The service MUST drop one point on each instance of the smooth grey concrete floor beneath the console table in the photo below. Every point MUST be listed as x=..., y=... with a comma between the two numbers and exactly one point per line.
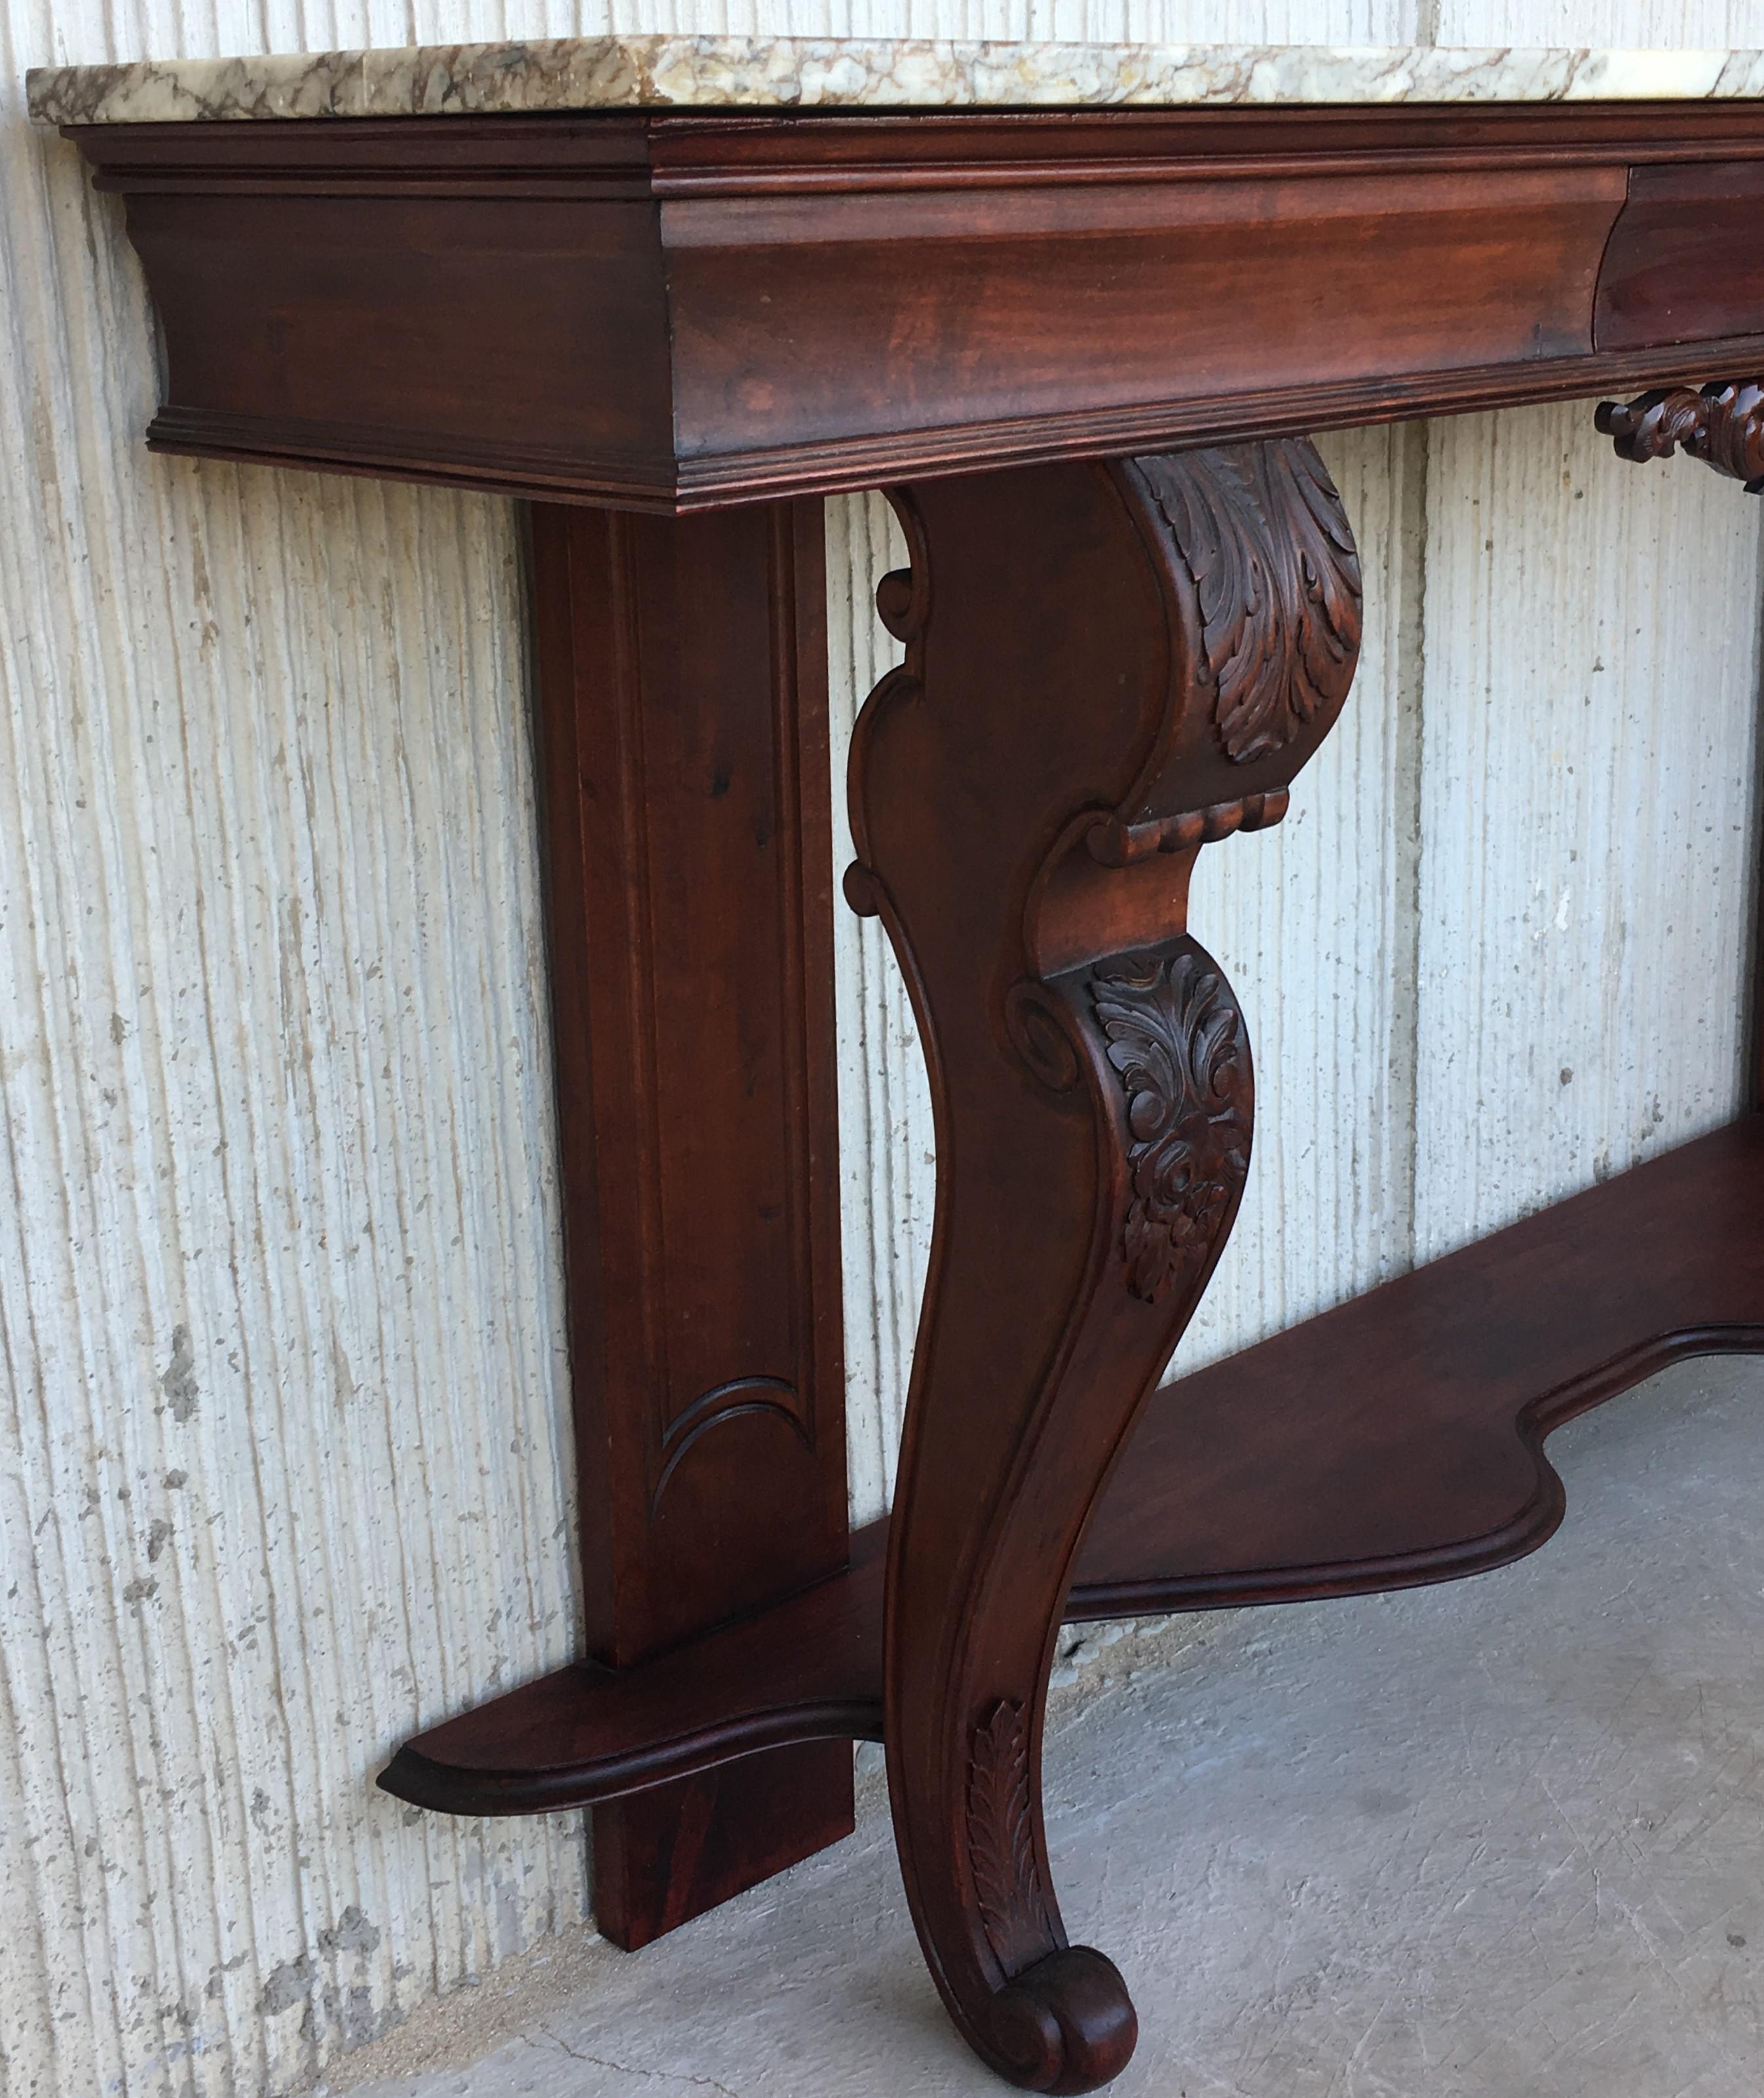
x=1503, y=1839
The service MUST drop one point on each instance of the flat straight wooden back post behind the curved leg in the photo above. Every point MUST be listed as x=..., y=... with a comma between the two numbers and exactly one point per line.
x=683, y=710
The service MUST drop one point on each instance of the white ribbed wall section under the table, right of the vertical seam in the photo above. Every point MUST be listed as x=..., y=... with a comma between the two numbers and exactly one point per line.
x=1589, y=765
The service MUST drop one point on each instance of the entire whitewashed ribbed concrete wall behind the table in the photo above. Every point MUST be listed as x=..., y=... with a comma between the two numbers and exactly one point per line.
x=282, y=1407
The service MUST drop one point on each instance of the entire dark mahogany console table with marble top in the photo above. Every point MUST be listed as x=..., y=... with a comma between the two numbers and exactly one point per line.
x=1077, y=322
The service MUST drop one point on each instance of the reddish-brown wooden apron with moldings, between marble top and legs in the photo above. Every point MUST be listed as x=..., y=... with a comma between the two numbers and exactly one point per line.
x=590, y=307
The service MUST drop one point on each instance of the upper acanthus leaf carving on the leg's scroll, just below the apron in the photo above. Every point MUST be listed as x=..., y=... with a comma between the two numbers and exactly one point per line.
x=1268, y=547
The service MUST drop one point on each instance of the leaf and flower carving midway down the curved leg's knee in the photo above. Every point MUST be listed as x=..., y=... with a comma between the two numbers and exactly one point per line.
x=1178, y=1042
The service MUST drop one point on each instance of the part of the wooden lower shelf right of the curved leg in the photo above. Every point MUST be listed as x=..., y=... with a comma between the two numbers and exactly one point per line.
x=1400, y=1438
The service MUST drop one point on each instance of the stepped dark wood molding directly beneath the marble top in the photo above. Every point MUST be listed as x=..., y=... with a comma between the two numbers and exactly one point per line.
x=676, y=156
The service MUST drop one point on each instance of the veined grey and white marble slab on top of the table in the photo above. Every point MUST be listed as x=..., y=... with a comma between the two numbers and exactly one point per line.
x=720, y=72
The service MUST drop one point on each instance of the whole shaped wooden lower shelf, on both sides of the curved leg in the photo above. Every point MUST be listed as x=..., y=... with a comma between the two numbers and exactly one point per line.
x=1390, y=1442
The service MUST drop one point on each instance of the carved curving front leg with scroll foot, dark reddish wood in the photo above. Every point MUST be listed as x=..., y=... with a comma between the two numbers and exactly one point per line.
x=1109, y=666
